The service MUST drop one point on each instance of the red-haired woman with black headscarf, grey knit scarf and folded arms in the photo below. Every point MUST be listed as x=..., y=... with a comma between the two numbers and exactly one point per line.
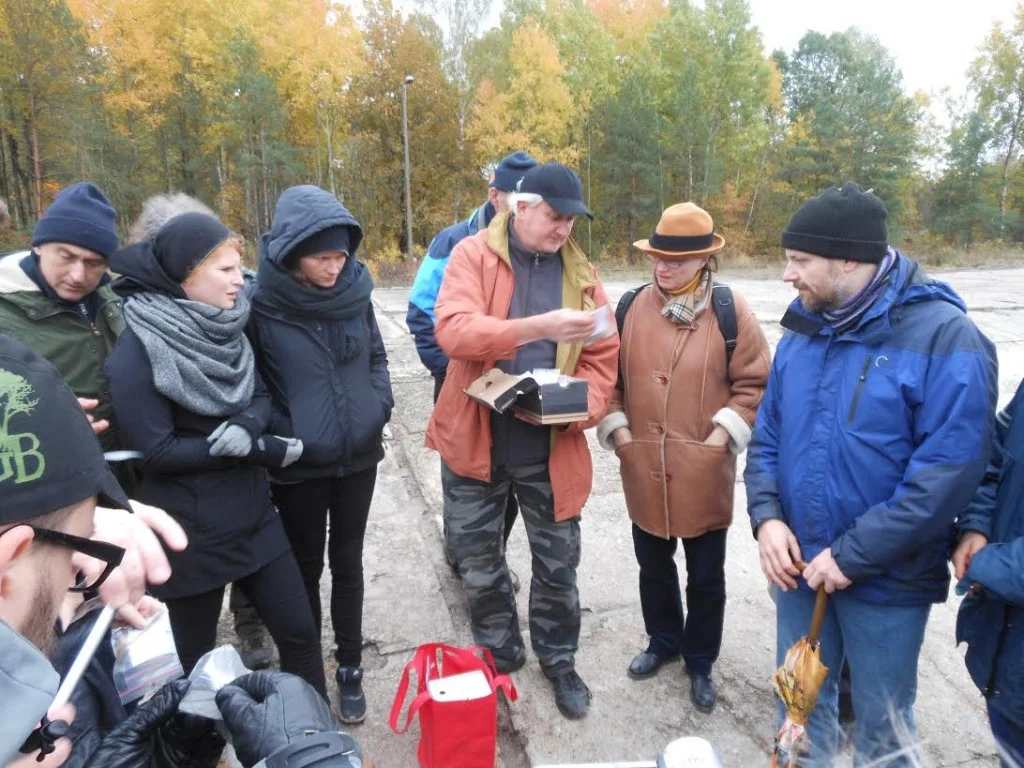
x=184, y=381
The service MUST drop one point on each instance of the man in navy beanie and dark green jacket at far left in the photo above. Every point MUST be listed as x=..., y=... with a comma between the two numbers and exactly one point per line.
x=57, y=298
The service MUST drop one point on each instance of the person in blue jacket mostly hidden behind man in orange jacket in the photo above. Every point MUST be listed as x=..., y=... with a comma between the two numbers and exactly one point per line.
x=429, y=282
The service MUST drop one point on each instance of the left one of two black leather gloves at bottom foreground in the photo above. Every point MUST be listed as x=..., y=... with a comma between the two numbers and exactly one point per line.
x=156, y=736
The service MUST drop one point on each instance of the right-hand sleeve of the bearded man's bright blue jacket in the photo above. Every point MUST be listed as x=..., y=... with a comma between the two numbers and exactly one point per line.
x=953, y=435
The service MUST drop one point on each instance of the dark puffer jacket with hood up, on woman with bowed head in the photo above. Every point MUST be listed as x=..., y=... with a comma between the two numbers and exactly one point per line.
x=320, y=353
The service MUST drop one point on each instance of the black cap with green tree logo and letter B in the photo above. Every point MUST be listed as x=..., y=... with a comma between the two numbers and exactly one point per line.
x=50, y=457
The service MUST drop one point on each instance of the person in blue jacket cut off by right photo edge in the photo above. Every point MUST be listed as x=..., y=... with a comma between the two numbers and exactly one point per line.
x=990, y=563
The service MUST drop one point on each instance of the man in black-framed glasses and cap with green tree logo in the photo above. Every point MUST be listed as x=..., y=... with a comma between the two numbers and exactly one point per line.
x=53, y=476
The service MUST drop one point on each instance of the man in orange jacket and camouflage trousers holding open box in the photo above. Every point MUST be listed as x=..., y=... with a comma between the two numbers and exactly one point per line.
x=517, y=296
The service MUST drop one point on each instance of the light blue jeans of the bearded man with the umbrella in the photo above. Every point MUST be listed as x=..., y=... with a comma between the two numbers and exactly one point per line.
x=882, y=645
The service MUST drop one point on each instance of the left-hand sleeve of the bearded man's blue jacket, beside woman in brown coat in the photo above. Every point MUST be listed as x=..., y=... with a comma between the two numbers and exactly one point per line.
x=761, y=476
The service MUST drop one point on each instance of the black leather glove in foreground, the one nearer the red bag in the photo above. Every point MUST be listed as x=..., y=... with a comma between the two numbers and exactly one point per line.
x=268, y=711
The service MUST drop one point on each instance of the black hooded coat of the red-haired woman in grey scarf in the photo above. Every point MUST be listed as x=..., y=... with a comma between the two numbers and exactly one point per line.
x=223, y=503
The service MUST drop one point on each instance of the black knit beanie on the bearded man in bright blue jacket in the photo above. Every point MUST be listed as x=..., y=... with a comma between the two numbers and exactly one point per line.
x=847, y=224
